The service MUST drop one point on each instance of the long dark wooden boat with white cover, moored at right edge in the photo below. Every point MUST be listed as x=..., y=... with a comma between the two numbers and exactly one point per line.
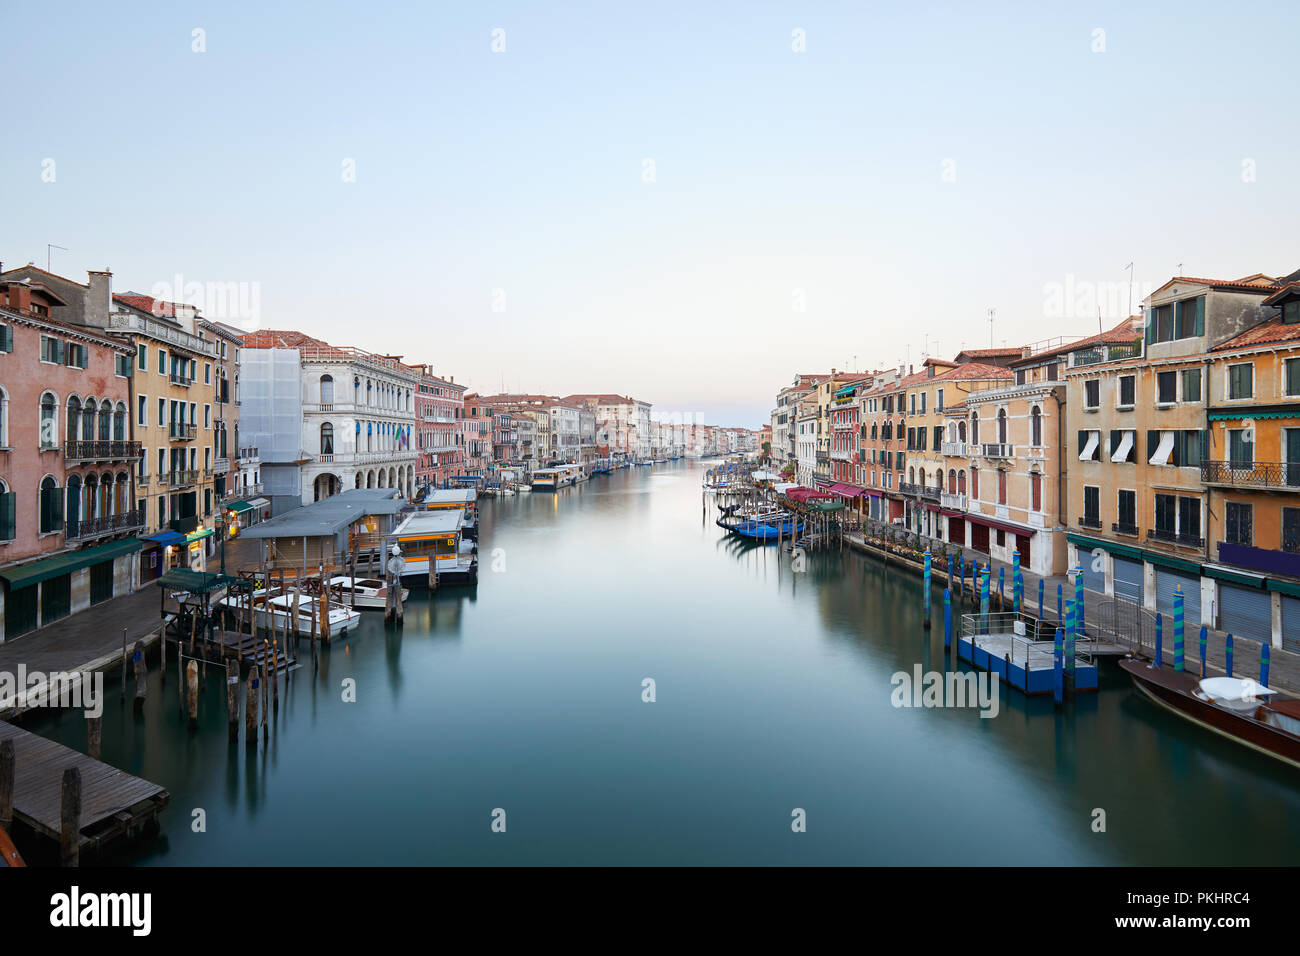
x=1236, y=708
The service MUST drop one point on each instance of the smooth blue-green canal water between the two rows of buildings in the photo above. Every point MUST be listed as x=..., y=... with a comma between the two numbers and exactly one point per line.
x=773, y=694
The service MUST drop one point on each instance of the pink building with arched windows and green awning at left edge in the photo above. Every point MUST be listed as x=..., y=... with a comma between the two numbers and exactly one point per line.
x=68, y=514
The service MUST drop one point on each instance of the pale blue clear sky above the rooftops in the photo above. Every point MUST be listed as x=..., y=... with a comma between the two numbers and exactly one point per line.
x=683, y=202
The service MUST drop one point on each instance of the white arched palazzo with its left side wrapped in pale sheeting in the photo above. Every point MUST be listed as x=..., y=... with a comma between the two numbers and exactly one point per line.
x=327, y=418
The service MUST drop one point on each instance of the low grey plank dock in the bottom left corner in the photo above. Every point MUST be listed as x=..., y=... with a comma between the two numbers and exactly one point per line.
x=114, y=803
